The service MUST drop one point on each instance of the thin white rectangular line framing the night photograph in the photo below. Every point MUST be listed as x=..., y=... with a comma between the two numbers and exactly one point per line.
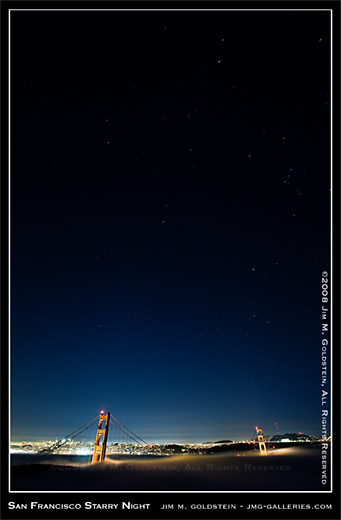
x=331, y=237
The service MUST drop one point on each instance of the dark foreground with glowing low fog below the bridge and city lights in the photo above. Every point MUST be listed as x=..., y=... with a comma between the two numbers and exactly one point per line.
x=284, y=469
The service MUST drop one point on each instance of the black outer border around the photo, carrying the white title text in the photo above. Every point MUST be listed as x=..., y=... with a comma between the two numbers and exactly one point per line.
x=185, y=498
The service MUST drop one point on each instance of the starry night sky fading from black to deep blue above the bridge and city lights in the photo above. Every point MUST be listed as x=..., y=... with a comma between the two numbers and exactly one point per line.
x=170, y=185
